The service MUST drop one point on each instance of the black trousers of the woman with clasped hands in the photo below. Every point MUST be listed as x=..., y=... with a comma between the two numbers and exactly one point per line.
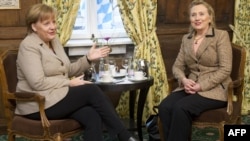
x=178, y=109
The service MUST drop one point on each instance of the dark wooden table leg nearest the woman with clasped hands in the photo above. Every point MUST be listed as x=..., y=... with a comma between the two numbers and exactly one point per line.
x=141, y=102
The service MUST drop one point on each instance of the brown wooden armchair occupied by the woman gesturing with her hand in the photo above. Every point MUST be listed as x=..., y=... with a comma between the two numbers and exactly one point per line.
x=44, y=129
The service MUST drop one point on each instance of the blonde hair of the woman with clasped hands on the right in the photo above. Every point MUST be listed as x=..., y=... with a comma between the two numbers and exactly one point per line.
x=210, y=11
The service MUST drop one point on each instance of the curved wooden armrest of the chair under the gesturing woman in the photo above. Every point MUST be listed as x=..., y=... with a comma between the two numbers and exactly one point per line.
x=41, y=103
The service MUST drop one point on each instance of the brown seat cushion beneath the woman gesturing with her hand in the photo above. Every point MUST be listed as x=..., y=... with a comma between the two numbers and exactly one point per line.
x=34, y=127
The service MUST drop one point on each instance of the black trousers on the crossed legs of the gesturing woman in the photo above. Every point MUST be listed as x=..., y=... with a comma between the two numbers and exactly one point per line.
x=91, y=107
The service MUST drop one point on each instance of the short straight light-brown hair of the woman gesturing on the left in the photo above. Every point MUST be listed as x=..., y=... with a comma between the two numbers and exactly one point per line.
x=38, y=12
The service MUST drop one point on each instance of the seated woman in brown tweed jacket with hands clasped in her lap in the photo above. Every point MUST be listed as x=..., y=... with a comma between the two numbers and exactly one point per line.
x=207, y=53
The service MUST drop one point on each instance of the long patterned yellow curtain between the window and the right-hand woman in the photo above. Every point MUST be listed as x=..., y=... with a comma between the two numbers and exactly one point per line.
x=139, y=19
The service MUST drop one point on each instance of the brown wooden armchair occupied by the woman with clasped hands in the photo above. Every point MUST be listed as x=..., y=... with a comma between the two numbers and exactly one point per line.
x=231, y=114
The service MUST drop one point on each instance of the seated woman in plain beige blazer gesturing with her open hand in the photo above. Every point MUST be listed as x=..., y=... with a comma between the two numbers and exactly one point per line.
x=44, y=68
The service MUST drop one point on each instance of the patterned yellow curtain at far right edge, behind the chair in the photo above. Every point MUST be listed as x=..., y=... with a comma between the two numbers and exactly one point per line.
x=241, y=37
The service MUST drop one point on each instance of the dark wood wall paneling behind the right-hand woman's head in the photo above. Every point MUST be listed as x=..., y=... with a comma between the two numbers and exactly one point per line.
x=176, y=11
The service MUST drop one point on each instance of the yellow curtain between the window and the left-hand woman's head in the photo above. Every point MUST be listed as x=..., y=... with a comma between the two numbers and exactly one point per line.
x=67, y=12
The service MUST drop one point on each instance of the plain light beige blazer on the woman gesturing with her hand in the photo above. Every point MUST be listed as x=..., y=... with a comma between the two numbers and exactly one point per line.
x=39, y=70
